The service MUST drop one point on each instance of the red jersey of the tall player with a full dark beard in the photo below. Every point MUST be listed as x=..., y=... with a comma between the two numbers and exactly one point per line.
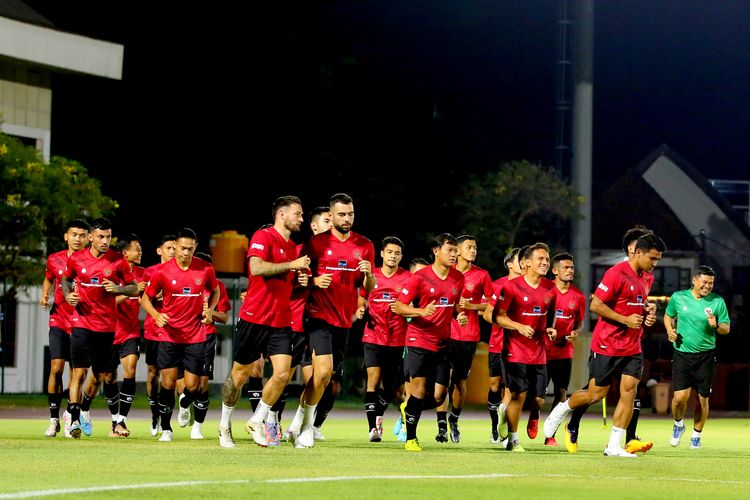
x=337, y=304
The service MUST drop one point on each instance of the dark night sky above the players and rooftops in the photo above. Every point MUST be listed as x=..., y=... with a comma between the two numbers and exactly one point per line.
x=377, y=98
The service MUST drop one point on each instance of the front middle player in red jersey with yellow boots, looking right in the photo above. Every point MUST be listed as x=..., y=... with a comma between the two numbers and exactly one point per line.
x=436, y=291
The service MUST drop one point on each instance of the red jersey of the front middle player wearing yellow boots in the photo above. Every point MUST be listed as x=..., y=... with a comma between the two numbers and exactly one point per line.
x=432, y=332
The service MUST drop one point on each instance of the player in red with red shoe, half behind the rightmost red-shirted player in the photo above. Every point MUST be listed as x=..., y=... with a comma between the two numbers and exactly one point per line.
x=570, y=310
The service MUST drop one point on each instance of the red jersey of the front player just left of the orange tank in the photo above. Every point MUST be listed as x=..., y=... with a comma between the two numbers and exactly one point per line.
x=182, y=290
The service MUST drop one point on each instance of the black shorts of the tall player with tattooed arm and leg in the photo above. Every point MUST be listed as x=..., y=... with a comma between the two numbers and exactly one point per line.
x=251, y=341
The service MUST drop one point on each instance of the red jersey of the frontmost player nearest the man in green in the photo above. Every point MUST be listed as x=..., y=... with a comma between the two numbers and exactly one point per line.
x=626, y=293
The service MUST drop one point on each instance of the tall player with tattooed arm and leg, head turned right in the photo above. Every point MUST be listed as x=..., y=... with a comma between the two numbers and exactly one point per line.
x=265, y=317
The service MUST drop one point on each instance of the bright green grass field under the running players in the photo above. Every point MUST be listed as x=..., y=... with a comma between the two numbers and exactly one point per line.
x=347, y=466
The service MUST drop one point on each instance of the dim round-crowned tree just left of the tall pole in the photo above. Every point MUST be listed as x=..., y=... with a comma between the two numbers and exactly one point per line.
x=517, y=204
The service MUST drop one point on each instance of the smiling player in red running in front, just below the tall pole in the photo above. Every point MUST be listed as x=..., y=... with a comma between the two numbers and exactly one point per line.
x=525, y=309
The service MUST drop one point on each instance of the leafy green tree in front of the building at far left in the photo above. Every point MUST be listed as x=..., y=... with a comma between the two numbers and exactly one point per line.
x=37, y=200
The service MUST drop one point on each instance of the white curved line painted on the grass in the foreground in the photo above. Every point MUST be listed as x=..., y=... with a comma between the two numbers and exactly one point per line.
x=72, y=491
